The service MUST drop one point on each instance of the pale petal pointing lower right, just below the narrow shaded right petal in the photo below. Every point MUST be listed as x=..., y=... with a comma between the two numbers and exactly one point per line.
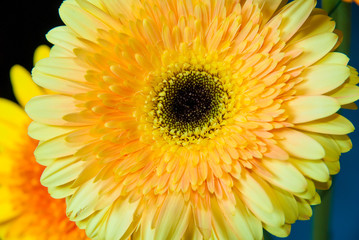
x=299, y=144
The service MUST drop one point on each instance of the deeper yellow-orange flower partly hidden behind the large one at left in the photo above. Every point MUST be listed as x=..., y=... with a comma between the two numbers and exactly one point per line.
x=26, y=209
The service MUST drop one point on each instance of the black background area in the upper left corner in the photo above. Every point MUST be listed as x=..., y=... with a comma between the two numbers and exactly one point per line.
x=23, y=25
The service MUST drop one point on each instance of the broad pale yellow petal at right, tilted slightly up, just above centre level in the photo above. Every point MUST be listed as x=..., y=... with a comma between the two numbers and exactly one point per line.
x=319, y=79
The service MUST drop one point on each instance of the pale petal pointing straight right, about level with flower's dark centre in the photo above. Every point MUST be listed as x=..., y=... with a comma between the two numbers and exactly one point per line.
x=308, y=108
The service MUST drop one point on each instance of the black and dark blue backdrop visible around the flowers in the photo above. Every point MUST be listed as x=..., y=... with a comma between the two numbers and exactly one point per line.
x=23, y=27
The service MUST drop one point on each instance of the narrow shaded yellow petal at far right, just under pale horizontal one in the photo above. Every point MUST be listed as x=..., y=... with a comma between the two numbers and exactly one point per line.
x=335, y=124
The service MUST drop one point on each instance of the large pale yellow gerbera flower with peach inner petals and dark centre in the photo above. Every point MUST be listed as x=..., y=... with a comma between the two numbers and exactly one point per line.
x=191, y=119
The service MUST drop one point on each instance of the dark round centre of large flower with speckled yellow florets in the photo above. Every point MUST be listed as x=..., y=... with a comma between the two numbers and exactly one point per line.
x=189, y=105
